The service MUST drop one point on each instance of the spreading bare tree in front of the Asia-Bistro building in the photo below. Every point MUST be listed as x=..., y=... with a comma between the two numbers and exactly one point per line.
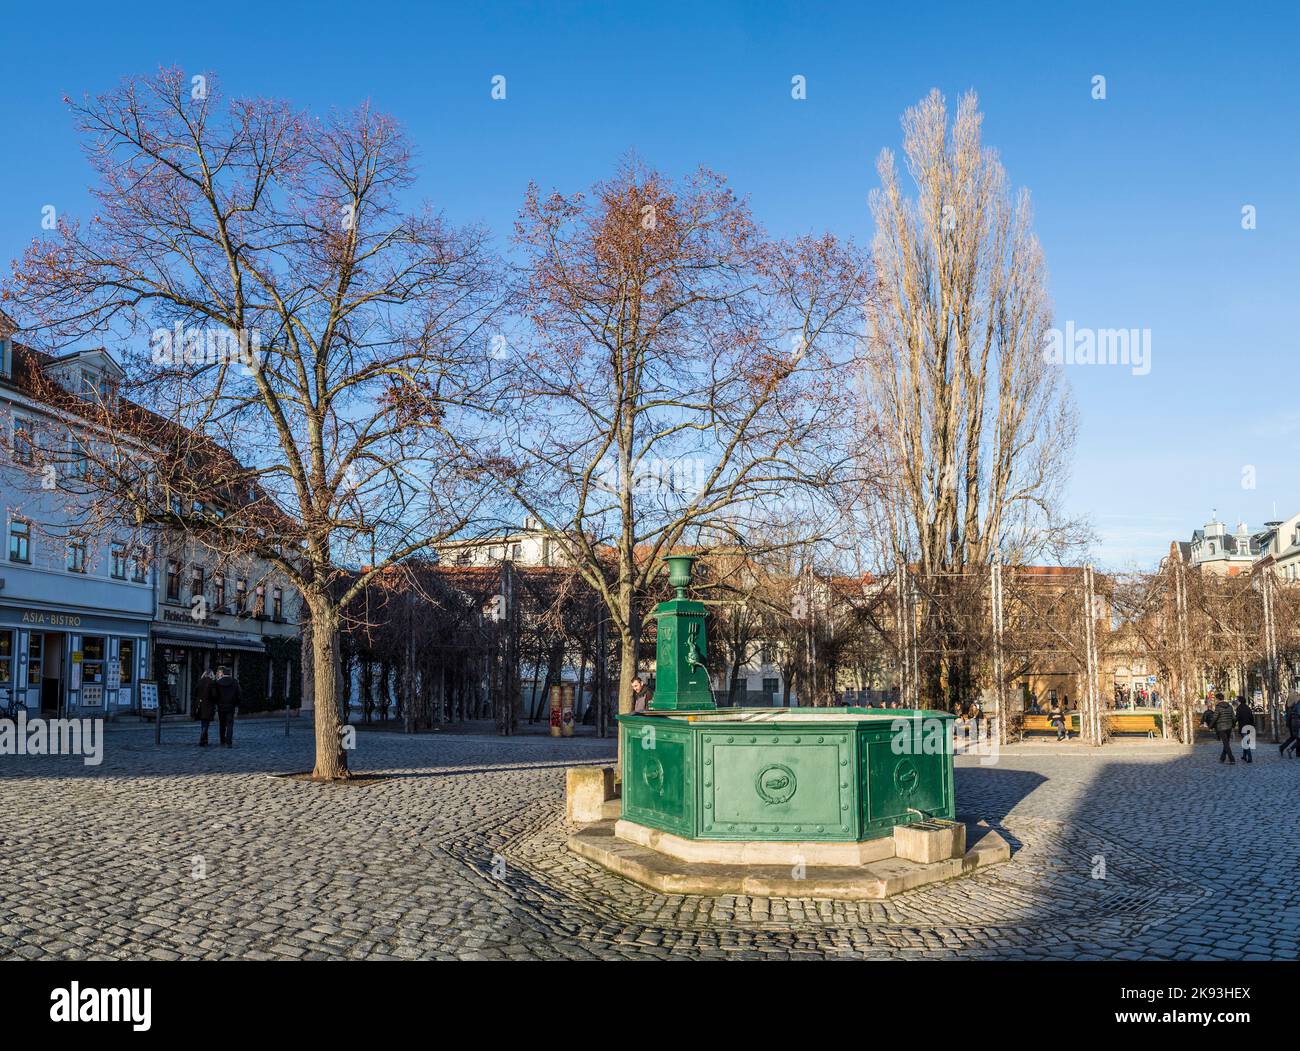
x=315, y=352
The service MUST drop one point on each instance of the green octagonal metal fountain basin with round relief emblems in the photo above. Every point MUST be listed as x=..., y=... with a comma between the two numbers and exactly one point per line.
x=787, y=775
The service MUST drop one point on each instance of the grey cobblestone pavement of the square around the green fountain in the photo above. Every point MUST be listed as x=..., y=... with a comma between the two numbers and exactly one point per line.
x=184, y=853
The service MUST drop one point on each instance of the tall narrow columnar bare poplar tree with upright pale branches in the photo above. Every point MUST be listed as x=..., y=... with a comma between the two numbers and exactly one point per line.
x=976, y=426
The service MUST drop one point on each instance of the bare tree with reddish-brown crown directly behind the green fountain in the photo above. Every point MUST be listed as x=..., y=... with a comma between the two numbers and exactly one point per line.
x=681, y=380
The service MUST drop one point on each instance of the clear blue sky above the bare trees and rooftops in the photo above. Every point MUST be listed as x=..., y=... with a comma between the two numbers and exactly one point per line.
x=1138, y=198
